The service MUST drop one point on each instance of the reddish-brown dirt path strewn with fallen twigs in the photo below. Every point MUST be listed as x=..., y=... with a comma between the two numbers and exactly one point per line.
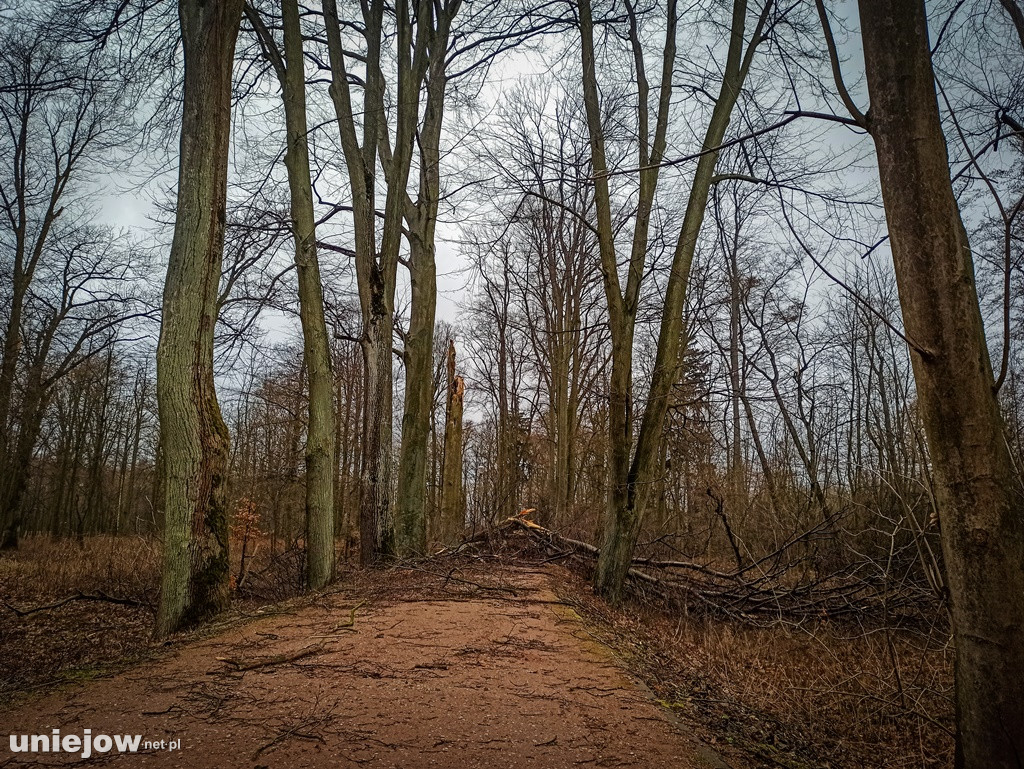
x=510, y=679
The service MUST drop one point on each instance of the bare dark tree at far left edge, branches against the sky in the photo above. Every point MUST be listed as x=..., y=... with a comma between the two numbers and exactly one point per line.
x=61, y=117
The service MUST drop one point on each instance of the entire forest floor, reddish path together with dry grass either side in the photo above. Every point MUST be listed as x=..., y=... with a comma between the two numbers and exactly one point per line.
x=485, y=659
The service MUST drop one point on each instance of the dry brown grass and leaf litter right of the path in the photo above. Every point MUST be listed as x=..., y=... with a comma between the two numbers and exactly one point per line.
x=826, y=695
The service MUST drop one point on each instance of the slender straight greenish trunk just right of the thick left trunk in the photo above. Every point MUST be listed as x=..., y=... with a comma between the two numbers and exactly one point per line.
x=317, y=349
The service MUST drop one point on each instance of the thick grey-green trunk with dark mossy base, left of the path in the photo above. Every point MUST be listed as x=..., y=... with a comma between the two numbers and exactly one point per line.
x=194, y=437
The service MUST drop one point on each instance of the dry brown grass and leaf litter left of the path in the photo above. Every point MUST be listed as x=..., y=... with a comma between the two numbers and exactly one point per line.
x=83, y=638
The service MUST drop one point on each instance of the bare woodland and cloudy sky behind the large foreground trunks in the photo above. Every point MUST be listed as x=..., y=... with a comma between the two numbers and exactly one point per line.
x=794, y=477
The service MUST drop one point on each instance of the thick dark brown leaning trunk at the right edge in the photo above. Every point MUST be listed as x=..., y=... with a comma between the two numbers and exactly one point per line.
x=982, y=506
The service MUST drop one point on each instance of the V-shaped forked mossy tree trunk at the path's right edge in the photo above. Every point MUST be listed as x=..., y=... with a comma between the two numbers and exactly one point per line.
x=632, y=472
